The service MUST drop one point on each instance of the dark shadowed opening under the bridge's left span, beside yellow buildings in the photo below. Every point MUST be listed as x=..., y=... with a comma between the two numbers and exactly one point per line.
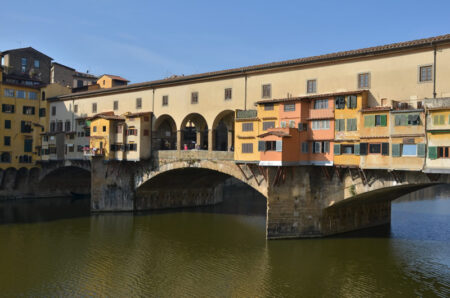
x=65, y=181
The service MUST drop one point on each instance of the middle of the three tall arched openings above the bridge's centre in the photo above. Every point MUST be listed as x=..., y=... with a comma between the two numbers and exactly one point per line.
x=194, y=132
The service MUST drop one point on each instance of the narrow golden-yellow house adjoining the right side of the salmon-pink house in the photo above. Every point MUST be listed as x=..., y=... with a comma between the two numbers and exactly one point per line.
x=347, y=113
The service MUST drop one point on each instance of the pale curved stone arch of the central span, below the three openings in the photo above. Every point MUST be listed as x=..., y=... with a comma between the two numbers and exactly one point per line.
x=228, y=168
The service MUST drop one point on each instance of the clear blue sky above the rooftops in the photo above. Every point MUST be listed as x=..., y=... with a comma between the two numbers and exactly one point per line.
x=148, y=40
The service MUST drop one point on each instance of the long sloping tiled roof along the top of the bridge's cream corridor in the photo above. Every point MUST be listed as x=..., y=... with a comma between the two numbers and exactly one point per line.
x=364, y=52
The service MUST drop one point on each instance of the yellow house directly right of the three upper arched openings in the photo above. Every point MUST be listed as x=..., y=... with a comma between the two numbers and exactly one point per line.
x=246, y=136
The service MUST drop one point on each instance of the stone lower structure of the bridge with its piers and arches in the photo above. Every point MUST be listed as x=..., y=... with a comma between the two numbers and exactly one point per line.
x=302, y=201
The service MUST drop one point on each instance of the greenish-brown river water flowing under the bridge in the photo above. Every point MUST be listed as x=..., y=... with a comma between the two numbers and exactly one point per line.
x=54, y=247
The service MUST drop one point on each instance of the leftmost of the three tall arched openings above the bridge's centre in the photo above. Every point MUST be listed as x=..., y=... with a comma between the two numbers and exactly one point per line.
x=164, y=133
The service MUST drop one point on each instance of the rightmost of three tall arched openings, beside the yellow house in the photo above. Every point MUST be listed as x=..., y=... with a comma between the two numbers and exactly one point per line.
x=223, y=131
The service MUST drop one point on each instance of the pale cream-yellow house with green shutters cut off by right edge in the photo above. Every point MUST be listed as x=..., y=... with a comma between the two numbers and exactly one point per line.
x=438, y=135
